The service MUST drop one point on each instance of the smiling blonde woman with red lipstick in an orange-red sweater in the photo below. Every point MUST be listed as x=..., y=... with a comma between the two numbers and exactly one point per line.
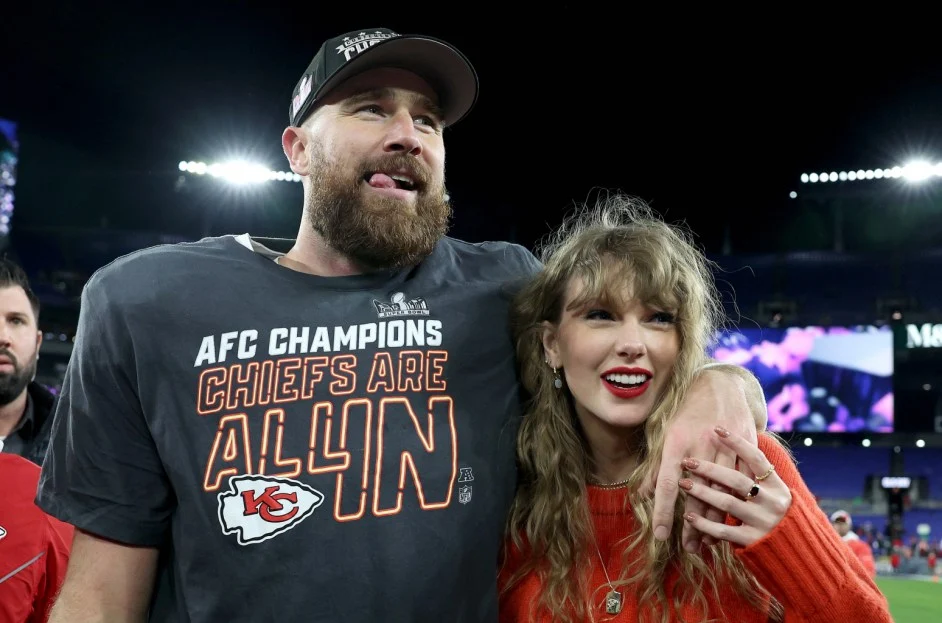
x=610, y=336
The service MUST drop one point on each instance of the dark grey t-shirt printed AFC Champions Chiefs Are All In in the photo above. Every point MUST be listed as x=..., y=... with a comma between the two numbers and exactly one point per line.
x=301, y=448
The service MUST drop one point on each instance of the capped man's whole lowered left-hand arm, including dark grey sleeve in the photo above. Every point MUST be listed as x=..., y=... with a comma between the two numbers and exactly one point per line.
x=102, y=472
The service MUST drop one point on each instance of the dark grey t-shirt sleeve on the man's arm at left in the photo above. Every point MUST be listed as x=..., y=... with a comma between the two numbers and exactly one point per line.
x=102, y=472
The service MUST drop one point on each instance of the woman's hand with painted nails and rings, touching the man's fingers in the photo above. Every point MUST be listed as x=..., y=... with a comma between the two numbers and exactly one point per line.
x=759, y=503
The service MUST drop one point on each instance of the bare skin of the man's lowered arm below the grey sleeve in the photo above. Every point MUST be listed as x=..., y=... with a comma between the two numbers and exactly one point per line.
x=106, y=582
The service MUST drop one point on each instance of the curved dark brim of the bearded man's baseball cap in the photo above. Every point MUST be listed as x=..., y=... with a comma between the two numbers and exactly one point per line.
x=446, y=70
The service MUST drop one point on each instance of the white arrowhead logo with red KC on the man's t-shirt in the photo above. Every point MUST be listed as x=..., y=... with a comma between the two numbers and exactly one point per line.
x=257, y=508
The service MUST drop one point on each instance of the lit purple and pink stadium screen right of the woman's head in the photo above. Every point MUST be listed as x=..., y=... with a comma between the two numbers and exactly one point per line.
x=818, y=379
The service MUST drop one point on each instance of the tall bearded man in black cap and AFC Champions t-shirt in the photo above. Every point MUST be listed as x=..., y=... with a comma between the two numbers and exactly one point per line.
x=318, y=429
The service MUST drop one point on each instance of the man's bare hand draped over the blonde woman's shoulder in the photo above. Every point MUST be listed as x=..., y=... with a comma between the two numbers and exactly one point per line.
x=723, y=395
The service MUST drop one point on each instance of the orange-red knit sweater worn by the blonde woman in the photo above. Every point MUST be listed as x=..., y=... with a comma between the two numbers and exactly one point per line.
x=802, y=562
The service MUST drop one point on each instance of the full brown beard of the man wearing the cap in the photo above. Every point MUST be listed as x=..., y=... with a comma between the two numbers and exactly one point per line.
x=376, y=232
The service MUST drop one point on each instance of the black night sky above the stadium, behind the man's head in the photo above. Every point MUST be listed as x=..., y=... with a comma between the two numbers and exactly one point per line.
x=709, y=115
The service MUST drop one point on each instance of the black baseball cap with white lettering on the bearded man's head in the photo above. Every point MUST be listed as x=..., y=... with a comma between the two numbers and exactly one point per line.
x=440, y=64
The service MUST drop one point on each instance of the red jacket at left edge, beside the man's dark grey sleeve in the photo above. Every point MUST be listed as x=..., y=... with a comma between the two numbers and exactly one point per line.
x=34, y=547
